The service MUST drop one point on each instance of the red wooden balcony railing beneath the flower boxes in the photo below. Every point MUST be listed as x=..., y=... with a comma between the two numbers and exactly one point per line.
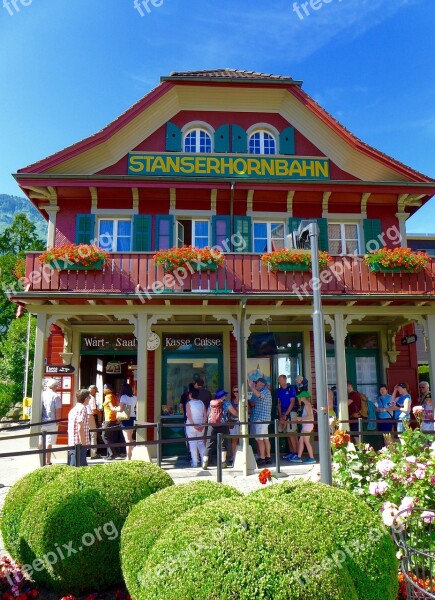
x=130, y=273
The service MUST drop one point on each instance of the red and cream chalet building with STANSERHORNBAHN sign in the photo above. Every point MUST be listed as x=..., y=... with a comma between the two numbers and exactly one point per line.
x=233, y=159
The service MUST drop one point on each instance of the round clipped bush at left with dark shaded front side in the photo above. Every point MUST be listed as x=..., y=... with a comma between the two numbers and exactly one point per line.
x=70, y=532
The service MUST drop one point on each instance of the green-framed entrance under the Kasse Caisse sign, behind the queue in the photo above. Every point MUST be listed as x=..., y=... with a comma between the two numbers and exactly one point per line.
x=178, y=372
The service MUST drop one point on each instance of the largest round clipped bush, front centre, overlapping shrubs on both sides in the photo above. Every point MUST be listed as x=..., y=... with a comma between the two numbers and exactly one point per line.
x=251, y=549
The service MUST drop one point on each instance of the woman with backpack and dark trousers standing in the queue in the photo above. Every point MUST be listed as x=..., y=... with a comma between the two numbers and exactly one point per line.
x=217, y=420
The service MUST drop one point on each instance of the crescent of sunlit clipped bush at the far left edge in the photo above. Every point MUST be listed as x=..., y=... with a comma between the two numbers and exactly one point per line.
x=17, y=499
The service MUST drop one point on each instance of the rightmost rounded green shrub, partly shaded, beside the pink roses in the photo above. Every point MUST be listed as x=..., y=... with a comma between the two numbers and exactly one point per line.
x=357, y=531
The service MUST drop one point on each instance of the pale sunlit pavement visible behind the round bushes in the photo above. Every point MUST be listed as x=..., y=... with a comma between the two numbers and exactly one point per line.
x=13, y=468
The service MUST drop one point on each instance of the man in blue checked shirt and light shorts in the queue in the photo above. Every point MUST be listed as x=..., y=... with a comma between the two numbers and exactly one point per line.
x=261, y=408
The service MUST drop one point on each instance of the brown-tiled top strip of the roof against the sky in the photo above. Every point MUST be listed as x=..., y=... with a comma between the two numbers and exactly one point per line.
x=229, y=74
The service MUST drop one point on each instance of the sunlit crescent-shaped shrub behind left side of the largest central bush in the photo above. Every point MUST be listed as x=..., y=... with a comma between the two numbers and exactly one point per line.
x=149, y=518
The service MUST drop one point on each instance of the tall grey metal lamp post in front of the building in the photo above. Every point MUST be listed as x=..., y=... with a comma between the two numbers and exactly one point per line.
x=320, y=359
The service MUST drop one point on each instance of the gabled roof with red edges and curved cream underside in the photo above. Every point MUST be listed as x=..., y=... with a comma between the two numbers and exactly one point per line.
x=286, y=96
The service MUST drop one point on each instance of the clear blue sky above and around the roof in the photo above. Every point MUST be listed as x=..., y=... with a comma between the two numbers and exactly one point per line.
x=68, y=67
